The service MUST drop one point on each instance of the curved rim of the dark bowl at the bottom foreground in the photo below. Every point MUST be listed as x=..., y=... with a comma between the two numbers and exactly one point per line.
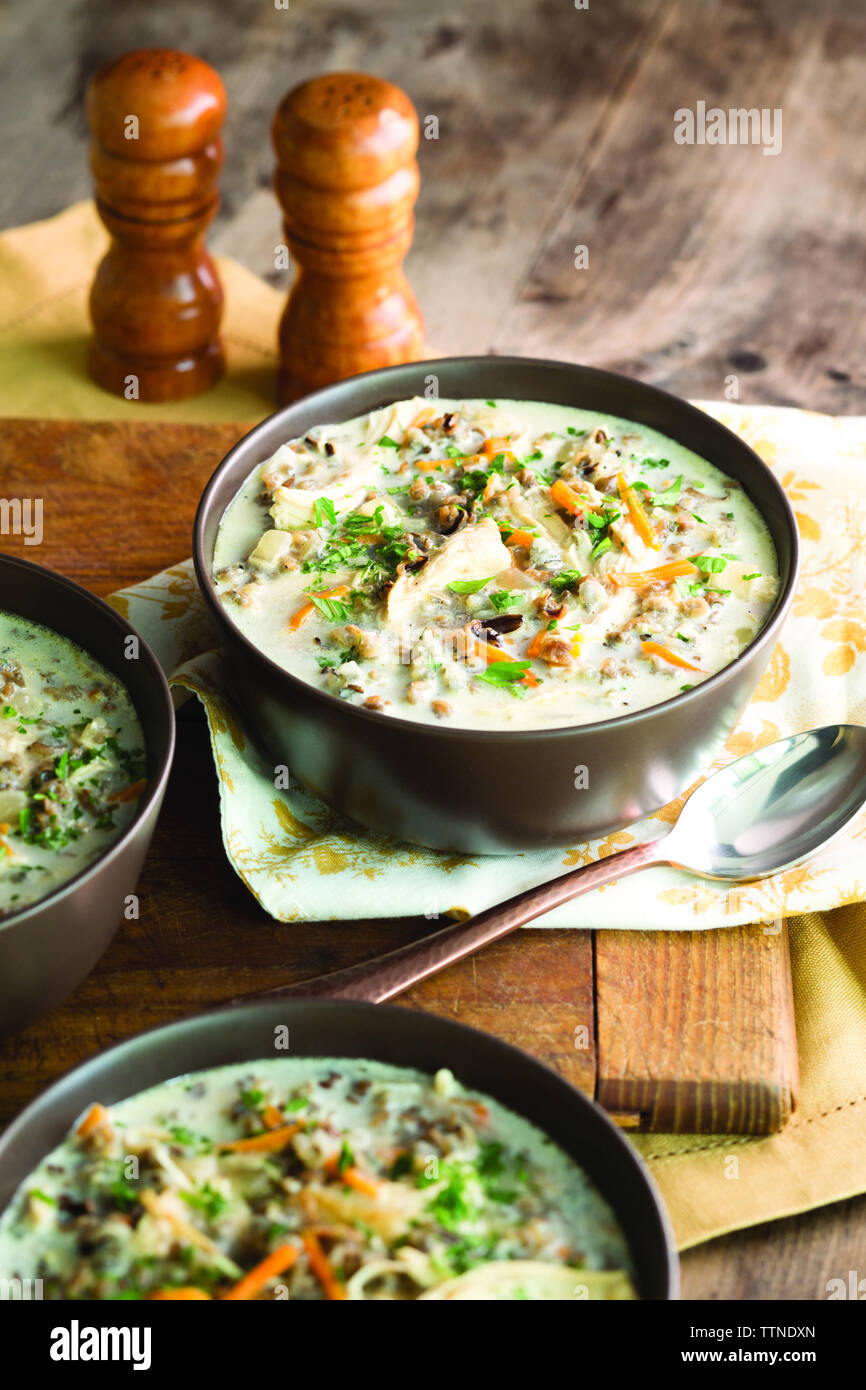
x=500, y=1053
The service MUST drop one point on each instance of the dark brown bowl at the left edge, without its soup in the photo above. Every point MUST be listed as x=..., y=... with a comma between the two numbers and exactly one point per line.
x=49, y=947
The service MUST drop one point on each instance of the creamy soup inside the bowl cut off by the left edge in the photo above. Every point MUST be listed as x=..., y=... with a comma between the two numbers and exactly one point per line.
x=72, y=761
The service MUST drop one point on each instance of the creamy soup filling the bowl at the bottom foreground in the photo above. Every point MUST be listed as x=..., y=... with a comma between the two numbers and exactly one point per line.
x=312, y=1179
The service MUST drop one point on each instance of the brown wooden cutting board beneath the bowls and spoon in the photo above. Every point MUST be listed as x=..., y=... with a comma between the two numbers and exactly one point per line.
x=687, y=1032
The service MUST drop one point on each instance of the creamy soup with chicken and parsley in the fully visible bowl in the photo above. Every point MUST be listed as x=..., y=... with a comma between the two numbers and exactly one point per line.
x=496, y=565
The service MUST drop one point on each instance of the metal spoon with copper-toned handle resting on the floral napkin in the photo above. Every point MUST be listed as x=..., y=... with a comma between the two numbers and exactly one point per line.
x=758, y=817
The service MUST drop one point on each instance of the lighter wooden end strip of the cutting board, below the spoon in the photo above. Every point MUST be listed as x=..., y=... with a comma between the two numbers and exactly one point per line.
x=696, y=1029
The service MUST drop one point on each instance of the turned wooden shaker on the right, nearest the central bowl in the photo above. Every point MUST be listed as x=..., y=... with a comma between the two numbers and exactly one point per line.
x=347, y=183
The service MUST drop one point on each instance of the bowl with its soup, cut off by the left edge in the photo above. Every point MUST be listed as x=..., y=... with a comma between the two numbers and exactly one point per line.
x=87, y=733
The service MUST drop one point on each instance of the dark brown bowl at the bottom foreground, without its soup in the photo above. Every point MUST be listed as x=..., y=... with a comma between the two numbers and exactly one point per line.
x=348, y=1029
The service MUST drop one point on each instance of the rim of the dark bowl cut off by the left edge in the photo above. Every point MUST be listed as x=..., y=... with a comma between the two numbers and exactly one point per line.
x=156, y=786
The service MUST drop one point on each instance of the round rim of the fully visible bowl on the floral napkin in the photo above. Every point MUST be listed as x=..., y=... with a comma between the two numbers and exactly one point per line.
x=765, y=637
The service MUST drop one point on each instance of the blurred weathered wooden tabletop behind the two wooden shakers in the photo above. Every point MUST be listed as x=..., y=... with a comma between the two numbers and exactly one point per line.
x=555, y=131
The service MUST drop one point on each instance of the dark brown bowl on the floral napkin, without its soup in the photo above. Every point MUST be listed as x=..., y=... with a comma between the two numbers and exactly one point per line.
x=482, y=792
